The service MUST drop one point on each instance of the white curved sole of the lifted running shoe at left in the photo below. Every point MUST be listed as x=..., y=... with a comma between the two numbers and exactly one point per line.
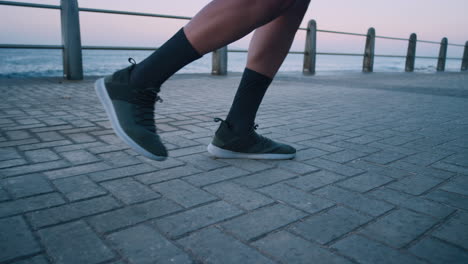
x=103, y=96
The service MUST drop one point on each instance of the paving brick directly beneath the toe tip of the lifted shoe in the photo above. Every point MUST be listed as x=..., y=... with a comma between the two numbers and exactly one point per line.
x=167, y=174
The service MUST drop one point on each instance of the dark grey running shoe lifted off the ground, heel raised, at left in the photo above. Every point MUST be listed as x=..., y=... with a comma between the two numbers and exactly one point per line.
x=131, y=112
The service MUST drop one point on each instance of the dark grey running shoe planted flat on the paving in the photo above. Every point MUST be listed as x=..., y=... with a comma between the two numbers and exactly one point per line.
x=227, y=144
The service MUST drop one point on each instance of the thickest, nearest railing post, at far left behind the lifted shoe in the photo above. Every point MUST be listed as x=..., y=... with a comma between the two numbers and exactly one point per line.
x=71, y=40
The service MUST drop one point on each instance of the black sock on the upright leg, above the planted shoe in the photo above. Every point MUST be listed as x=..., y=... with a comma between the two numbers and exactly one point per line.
x=249, y=95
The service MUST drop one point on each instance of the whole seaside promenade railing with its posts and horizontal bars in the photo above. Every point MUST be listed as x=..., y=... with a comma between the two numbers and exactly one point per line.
x=72, y=49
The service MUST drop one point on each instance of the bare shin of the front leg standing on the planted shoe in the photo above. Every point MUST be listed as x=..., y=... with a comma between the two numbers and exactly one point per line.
x=271, y=42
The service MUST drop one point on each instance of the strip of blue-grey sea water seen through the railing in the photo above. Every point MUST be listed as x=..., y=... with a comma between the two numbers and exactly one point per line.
x=48, y=63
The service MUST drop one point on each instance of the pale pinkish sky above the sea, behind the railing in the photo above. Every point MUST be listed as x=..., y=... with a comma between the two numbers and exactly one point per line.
x=430, y=19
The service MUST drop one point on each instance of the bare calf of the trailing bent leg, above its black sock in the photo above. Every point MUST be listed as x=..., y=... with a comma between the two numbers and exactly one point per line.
x=224, y=21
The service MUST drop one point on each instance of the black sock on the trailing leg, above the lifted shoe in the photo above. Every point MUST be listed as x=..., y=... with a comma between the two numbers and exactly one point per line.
x=164, y=62
